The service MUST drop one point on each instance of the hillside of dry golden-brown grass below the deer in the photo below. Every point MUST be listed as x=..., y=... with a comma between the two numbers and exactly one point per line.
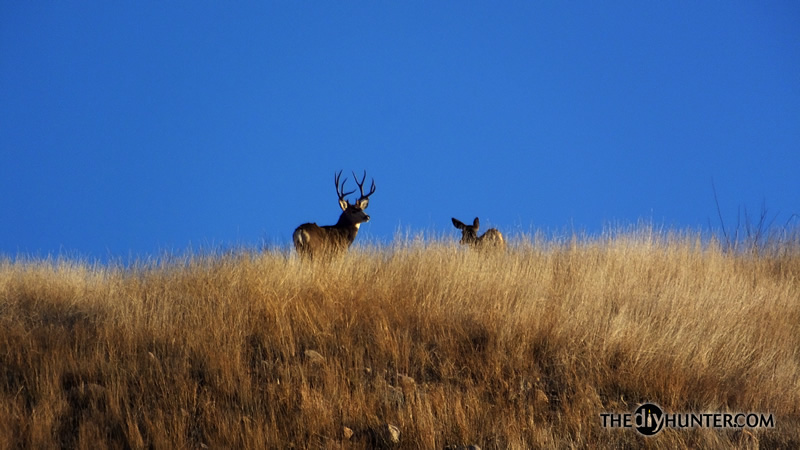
x=519, y=349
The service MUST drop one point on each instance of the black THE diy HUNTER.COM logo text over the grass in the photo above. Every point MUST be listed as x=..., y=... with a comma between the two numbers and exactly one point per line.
x=649, y=419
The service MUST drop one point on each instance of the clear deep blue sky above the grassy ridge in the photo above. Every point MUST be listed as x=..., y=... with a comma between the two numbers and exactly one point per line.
x=132, y=128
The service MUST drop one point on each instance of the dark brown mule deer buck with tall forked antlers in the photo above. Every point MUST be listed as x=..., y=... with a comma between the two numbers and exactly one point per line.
x=311, y=239
